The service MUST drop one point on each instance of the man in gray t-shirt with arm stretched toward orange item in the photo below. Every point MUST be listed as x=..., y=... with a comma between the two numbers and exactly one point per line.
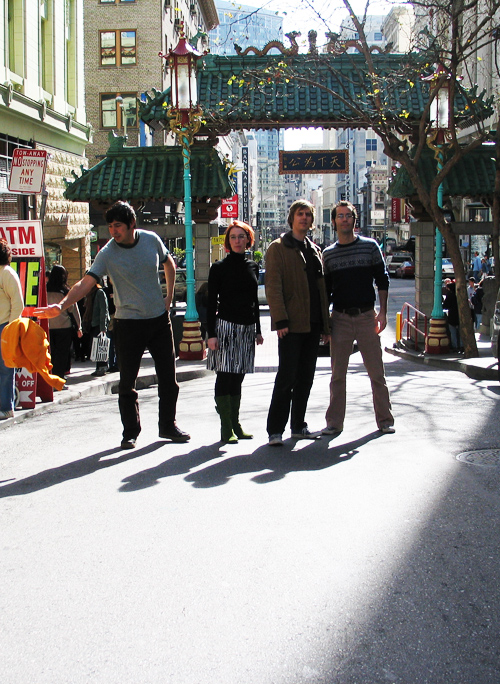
x=131, y=259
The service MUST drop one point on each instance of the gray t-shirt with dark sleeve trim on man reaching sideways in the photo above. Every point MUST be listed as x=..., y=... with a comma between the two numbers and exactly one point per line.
x=134, y=273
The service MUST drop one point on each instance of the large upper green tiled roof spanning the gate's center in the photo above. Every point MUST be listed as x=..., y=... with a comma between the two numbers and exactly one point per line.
x=227, y=100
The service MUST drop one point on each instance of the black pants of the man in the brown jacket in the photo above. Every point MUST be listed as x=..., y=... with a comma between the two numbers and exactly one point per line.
x=298, y=353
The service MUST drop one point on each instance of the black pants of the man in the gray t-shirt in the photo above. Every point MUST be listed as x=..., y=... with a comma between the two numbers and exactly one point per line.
x=132, y=337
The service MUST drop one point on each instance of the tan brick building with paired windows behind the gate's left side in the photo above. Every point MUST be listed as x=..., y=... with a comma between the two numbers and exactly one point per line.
x=122, y=42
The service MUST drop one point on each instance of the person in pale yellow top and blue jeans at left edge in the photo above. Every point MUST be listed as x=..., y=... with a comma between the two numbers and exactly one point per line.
x=11, y=307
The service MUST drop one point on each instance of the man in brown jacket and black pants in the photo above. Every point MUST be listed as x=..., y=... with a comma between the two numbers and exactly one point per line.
x=296, y=294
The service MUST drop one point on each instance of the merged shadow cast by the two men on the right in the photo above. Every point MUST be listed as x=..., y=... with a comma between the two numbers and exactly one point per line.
x=278, y=462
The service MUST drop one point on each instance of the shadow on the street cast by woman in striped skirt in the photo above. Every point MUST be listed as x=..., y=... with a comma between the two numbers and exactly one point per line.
x=177, y=465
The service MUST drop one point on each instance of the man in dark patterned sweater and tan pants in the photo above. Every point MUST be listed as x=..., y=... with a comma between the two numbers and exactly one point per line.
x=352, y=265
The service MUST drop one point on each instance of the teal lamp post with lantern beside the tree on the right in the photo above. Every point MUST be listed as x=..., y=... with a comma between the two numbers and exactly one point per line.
x=437, y=341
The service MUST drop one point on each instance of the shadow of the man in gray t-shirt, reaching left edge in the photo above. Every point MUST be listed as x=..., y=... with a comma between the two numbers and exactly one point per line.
x=70, y=471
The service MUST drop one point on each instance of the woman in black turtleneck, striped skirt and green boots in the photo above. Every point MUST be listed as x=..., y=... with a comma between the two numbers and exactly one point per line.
x=233, y=326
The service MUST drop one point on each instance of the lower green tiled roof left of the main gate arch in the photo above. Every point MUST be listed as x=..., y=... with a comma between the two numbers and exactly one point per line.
x=150, y=173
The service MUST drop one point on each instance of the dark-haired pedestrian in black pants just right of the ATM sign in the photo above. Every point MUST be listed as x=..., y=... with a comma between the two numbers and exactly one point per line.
x=60, y=328
